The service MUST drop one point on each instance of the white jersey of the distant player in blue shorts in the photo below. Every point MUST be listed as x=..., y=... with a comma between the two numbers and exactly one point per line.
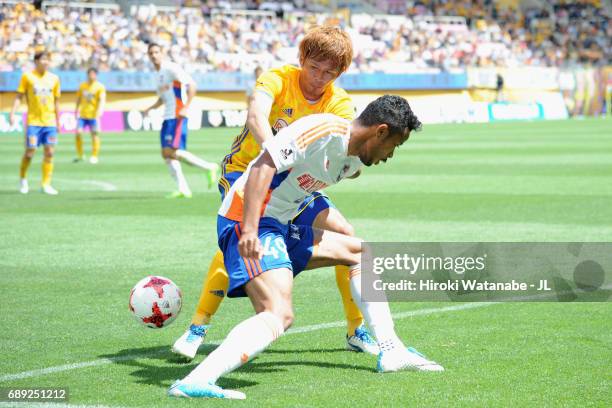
x=172, y=82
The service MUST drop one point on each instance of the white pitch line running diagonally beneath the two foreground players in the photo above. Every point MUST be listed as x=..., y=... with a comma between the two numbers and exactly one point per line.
x=297, y=330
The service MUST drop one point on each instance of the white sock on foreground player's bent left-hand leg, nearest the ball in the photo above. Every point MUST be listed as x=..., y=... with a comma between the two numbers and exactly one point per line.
x=242, y=344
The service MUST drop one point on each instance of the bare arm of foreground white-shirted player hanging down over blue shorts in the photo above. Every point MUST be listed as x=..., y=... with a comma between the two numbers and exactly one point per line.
x=260, y=177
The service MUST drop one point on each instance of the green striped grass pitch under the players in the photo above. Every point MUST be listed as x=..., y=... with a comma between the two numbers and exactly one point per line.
x=68, y=262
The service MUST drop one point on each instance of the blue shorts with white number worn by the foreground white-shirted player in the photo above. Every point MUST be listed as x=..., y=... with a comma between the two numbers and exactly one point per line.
x=286, y=246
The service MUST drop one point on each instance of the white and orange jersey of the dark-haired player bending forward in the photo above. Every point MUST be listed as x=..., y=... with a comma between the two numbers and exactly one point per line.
x=309, y=155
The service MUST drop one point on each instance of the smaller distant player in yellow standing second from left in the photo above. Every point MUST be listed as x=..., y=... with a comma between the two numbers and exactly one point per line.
x=91, y=97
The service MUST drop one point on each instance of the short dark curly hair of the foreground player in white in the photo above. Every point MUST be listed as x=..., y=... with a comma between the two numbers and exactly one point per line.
x=392, y=110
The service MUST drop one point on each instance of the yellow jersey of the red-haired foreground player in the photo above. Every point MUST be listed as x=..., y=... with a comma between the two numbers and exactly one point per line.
x=289, y=104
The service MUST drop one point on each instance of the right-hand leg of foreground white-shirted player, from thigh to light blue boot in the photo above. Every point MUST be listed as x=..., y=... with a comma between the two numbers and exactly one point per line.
x=330, y=248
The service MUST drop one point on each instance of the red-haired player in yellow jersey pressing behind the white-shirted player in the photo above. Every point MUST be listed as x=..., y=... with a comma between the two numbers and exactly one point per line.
x=282, y=96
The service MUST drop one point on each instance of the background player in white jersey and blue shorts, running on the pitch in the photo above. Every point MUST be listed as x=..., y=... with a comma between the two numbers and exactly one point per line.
x=176, y=89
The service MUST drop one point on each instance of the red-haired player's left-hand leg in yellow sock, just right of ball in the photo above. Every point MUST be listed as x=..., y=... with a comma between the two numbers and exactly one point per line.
x=212, y=293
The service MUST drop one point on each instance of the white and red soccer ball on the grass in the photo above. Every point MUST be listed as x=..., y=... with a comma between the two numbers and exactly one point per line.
x=155, y=301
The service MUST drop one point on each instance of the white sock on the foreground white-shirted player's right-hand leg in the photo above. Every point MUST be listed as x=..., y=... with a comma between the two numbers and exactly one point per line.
x=376, y=314
